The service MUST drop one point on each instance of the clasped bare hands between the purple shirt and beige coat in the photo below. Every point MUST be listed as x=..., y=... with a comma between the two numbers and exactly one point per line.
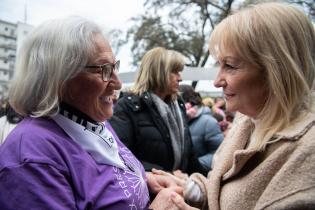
x=169, y=189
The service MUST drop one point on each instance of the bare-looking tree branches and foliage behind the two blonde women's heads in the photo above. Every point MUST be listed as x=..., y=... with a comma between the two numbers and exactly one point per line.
x=185, y=25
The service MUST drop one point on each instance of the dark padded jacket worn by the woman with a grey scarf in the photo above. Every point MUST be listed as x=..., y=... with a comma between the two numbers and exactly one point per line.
x=141, y=128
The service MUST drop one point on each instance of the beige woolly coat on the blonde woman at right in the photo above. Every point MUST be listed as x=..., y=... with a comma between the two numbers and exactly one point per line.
x=281, y=177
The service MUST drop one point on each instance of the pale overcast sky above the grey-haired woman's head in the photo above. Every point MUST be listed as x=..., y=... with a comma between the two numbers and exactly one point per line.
x=110, y=14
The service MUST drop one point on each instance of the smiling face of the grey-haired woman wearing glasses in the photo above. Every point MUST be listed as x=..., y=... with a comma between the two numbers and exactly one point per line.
x=88, y=92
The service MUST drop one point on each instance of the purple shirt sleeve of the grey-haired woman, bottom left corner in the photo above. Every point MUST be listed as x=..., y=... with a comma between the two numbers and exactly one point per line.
x=35, y=186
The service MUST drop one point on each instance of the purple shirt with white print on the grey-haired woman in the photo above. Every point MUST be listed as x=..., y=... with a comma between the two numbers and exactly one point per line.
x=41, y=167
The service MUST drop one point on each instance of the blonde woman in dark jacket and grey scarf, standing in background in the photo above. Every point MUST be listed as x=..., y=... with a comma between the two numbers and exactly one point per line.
x=150, y=119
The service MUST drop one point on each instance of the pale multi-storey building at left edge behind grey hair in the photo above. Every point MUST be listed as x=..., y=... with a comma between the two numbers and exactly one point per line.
x=11, y=37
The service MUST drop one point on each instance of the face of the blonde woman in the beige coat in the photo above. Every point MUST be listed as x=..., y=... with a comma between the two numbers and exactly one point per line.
x=243, y=85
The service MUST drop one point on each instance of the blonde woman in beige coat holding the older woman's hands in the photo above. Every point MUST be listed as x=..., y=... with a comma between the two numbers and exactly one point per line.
x=267, y=68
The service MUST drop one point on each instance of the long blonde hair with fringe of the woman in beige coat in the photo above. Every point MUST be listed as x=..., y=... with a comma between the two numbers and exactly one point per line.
x=279, y=39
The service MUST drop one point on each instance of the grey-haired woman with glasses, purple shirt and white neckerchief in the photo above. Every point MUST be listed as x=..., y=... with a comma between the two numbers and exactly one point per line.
x=64, y=154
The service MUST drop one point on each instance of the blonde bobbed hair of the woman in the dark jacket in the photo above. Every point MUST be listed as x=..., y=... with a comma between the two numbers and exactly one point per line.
x=154, y=72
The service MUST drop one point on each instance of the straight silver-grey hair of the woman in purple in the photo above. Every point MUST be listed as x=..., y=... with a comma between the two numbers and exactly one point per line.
x=54, y=52
